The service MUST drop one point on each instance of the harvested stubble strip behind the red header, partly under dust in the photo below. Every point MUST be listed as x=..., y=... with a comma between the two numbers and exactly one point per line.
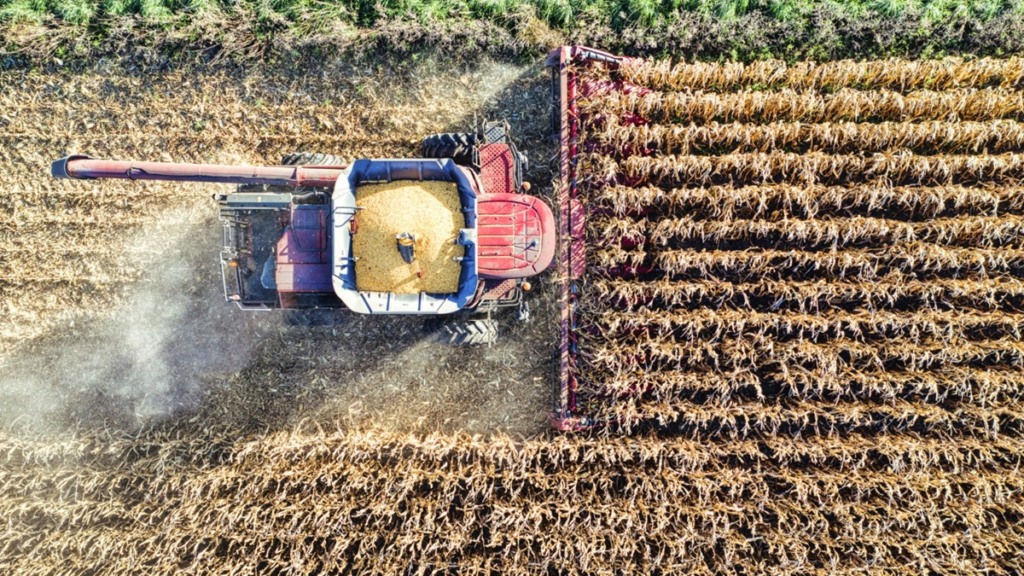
x=110, y=292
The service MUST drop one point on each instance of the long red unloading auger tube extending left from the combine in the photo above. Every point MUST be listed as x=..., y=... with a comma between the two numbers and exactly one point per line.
x=83, y=168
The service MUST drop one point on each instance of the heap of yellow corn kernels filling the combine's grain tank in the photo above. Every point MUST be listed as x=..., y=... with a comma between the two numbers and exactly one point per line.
x=432, y=213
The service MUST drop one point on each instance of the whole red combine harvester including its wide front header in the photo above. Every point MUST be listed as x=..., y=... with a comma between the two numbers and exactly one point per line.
x=291, y=233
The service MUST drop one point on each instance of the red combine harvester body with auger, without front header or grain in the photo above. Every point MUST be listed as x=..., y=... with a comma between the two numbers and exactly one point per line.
x=288, y=231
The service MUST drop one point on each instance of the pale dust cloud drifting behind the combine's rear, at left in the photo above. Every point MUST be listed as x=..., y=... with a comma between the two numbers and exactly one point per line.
x=148, y=359
